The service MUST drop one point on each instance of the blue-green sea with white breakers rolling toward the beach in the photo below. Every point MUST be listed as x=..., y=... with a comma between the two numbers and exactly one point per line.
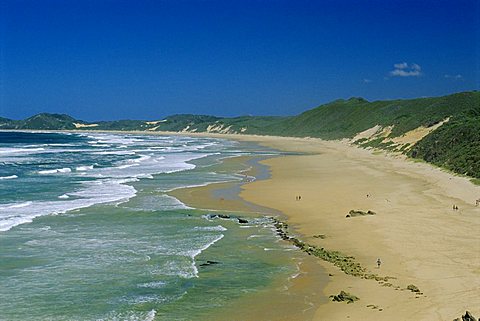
x=87, y=231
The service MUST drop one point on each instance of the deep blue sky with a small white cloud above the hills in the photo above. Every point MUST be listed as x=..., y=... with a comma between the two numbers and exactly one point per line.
x=99, y=60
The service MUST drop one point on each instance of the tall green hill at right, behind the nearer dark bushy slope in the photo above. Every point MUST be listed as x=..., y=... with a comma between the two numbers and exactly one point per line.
x=346, y=118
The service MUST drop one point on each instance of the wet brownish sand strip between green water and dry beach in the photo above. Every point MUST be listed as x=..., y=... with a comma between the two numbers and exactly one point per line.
x=292, y=298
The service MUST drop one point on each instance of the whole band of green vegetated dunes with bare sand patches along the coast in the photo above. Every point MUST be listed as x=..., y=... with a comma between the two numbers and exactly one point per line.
x=444, y=131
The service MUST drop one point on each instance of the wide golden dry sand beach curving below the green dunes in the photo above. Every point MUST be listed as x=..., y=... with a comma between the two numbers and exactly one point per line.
x=415, y=232
